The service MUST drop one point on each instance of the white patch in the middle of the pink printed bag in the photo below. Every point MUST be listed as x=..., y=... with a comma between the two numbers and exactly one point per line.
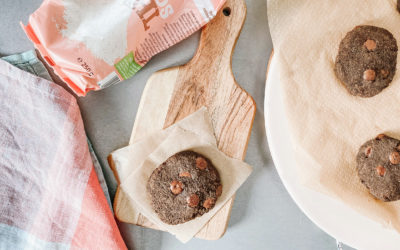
x=102, y=25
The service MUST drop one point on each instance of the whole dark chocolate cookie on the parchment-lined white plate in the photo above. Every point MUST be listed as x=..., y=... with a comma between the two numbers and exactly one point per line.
x=366, y=62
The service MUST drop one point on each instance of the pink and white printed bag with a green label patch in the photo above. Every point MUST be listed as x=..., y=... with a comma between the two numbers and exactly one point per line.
x=93, y=44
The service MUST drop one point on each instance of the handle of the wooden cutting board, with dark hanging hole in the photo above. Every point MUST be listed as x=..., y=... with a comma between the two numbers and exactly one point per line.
x=219, y=36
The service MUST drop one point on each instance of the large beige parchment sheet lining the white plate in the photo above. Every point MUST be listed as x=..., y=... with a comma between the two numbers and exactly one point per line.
x=327, y=124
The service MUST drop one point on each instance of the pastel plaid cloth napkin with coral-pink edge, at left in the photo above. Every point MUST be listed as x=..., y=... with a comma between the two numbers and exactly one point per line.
x=50, y=195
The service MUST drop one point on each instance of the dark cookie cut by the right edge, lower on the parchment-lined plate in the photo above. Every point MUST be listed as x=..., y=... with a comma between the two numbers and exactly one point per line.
x=378, y=166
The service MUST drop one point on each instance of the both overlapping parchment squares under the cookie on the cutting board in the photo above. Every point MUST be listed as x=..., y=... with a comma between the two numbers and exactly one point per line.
x=195, y=133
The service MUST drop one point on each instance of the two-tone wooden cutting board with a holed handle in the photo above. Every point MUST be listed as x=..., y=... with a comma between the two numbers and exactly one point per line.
x=207, y=80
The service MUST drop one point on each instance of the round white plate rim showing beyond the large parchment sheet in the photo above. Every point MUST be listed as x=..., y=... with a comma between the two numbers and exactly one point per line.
x=332, y=216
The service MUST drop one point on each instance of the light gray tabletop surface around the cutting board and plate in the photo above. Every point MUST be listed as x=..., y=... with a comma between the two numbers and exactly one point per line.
x=263, y=215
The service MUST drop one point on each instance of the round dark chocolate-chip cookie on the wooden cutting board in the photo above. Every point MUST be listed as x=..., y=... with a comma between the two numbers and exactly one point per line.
x=185, y=186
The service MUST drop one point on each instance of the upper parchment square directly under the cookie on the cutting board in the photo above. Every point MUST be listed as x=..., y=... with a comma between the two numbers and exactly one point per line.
x=232, y=172
